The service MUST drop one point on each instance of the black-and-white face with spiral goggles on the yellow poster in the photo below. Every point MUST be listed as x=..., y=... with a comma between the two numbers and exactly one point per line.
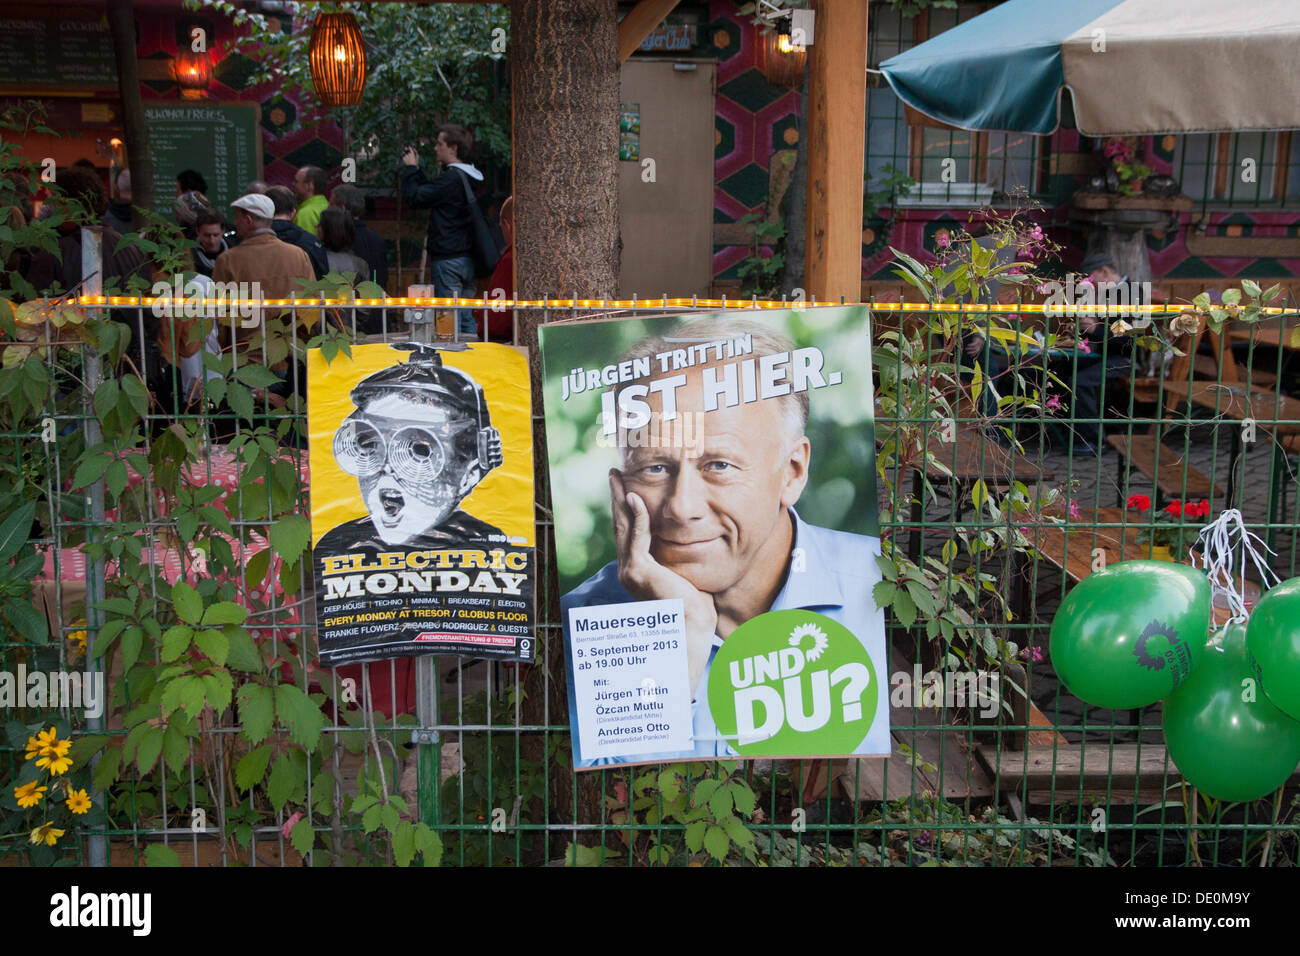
x=415, y=479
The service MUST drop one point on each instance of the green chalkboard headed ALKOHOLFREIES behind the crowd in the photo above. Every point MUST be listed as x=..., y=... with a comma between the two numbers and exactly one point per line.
x=223, y=141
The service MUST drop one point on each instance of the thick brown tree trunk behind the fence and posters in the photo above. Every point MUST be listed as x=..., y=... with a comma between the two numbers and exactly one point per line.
x=565, y=77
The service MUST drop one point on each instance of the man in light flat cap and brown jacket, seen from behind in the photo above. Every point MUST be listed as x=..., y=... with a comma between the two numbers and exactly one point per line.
x=267, y=265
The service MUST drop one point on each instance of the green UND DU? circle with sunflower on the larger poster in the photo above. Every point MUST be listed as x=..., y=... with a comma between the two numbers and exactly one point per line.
x=794, y=684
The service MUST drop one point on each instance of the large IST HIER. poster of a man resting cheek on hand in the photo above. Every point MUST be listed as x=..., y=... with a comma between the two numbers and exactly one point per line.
x=717, y=535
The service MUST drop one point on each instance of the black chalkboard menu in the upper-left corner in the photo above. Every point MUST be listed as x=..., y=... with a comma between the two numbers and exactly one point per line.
x=57, y=51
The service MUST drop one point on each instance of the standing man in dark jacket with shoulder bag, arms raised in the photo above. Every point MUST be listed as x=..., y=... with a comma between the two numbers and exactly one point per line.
x=452, y=217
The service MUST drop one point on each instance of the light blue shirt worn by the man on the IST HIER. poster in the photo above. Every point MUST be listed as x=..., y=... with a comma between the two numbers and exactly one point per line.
x=839, y=574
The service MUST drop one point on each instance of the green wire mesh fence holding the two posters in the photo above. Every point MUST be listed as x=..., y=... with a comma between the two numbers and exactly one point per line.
x=994, y=759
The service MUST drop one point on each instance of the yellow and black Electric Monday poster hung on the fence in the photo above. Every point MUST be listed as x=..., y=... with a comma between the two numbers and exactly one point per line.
x=422, y=503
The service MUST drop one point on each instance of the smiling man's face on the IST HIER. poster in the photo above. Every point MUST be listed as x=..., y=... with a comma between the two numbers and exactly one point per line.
x=717, y=505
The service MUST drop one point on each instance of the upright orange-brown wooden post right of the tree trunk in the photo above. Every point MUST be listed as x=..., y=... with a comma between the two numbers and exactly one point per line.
x=837, y=153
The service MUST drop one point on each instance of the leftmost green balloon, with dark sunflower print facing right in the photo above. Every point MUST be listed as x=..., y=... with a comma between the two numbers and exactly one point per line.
x=1129, y=635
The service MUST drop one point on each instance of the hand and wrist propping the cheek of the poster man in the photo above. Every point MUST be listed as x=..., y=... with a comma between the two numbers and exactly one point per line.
x=649, y=581
